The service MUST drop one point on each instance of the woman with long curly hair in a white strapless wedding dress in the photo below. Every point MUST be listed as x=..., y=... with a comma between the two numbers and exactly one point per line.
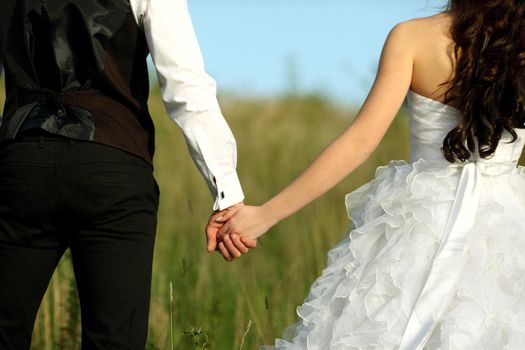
x=436, y=255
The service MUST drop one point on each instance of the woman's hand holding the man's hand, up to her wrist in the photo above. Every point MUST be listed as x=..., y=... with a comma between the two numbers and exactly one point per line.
x=249, y=222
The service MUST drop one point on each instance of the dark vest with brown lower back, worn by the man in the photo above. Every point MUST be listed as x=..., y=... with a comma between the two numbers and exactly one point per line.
x=76, y=68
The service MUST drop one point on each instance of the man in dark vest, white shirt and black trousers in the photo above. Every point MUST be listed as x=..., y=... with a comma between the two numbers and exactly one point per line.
x=76, y=155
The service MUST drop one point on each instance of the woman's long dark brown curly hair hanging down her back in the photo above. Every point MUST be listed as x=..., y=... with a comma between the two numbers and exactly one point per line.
x=489, y=80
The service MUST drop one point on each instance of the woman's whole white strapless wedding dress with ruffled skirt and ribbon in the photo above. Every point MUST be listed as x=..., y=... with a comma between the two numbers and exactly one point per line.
x=436, y=256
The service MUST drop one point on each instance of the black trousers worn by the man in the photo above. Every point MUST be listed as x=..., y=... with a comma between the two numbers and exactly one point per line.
x=100, y=202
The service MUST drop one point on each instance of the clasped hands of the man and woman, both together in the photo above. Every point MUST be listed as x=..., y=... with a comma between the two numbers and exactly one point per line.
x=234, y=231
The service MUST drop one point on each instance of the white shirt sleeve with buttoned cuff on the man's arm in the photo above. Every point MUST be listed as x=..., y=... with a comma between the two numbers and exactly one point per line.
x=189, y=95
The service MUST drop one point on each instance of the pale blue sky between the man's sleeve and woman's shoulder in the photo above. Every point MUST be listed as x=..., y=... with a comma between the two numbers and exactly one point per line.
x=265, y=47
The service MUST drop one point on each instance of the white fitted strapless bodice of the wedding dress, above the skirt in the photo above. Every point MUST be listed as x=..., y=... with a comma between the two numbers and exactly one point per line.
x=431, y=121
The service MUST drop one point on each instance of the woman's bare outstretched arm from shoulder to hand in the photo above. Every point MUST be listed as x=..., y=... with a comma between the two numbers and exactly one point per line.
x=349, y=150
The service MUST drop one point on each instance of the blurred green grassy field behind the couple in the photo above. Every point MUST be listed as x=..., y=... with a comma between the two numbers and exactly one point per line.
x=216, y=305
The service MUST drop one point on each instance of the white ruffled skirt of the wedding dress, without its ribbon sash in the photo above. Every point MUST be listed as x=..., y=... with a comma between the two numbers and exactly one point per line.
x=368, y=292
